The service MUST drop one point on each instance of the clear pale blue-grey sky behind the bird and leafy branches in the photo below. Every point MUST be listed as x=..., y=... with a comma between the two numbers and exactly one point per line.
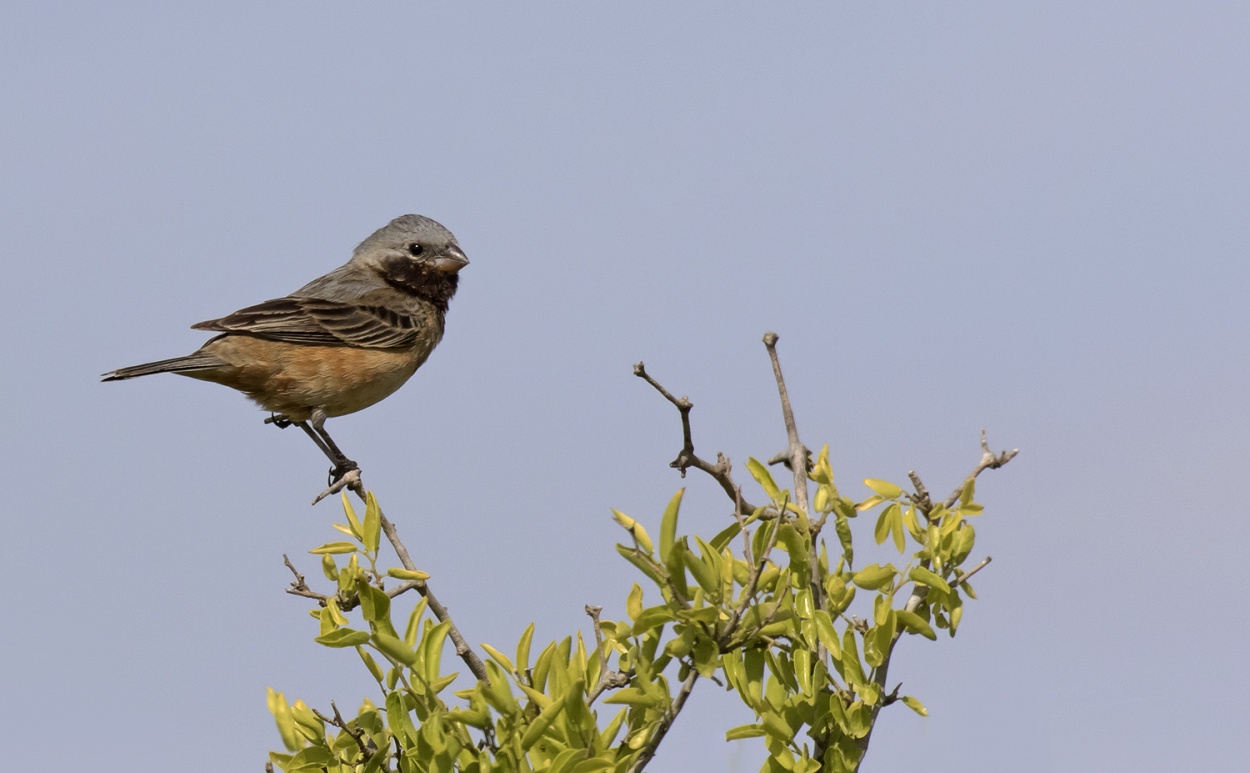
x=1031, y=218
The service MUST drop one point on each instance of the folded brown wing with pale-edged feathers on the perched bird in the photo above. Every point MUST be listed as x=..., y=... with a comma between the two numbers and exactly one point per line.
x=316, y=321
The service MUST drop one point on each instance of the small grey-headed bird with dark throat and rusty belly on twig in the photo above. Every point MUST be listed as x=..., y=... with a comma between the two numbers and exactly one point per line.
x=341, y=343
